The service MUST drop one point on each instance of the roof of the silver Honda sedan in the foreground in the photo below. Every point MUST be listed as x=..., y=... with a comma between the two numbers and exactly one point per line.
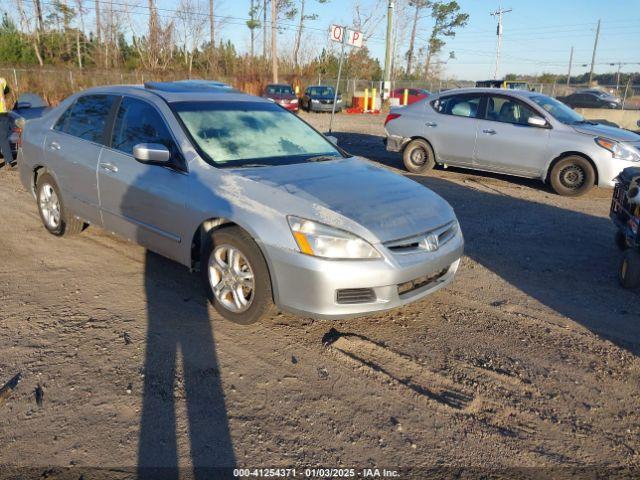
x=173, y=92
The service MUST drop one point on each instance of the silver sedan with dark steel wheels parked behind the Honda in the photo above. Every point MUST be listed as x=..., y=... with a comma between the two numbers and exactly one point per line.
x=516, y=132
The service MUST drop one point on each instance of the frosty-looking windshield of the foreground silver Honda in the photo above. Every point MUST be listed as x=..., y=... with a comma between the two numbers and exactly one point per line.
x=233, y=134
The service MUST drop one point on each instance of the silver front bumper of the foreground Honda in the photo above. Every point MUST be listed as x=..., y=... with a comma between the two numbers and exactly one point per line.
x=308, y=286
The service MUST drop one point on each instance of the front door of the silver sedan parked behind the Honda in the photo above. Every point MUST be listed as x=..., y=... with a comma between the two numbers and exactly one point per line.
x=506, y=142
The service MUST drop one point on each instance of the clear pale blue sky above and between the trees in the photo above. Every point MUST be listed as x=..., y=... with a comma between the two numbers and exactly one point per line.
x=538, y=35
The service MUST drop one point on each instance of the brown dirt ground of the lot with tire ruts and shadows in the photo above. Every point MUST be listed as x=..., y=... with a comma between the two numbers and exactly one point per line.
x=528, y=359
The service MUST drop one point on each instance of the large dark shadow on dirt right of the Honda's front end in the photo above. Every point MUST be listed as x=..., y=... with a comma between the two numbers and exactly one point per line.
x=564, y=259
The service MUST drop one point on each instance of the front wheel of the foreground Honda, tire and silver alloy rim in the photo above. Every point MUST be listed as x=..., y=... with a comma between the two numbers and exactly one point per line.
x=249, y=274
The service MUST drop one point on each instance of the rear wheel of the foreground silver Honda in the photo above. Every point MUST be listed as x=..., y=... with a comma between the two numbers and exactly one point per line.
x=55, y=218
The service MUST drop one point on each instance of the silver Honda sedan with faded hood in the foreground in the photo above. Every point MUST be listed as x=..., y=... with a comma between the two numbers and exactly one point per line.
x=271, y=212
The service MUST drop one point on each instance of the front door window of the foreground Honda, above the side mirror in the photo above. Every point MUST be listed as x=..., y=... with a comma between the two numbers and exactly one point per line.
x=139, y=122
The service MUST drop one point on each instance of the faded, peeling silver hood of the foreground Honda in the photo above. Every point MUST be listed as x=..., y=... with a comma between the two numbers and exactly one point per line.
x=388, y=205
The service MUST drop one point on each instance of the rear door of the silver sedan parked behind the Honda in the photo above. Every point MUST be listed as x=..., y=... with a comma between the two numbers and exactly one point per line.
x=450, y=125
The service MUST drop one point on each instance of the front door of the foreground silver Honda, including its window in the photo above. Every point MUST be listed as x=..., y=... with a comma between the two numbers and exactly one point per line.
x=143, y=202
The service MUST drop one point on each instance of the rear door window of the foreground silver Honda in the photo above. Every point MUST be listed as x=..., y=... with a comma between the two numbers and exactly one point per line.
x=87, y=117
